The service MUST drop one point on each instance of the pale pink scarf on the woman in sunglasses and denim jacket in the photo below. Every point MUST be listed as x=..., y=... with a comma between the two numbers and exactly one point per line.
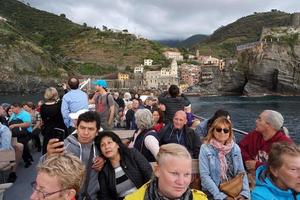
x=222, y=151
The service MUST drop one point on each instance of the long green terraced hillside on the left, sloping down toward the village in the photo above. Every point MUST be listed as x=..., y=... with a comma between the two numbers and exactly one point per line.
x=77, y=48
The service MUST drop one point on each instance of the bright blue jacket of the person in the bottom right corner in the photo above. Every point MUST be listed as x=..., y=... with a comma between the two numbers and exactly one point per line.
x=265, y=189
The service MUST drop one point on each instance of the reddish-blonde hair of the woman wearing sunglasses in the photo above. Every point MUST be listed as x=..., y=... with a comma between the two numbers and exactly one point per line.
x=219, y=120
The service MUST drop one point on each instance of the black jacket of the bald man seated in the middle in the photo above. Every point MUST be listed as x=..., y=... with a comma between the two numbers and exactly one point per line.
x=192, y=141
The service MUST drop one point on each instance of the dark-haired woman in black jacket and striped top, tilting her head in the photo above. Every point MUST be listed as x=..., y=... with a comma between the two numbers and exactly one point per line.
x=125, y=169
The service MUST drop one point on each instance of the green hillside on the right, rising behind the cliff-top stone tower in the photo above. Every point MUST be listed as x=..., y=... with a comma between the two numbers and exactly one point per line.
x=223, y=41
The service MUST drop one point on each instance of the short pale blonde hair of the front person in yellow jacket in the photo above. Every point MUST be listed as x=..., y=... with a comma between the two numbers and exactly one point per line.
x=172, y=149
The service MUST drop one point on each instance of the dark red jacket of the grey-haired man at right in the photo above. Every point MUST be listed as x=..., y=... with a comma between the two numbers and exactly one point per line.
x=254, y=147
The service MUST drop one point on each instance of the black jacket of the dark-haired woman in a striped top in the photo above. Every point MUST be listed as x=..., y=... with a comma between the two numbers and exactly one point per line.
x=135, y=166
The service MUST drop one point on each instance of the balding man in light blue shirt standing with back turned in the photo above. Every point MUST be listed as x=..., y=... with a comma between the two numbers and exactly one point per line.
x=73, y=101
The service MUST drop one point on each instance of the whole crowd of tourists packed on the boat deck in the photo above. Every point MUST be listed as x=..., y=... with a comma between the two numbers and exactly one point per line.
x=82, y=157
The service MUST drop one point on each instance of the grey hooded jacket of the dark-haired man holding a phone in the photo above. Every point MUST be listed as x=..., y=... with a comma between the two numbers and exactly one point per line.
x=82, y=151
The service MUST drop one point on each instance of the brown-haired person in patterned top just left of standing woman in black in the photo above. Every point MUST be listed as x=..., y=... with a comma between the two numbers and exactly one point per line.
x=36, y=124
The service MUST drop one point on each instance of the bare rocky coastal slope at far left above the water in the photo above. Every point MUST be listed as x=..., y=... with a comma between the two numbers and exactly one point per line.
x=25, y=68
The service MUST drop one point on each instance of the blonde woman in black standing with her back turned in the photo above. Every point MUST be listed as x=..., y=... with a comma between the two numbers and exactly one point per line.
x=51, y=116
